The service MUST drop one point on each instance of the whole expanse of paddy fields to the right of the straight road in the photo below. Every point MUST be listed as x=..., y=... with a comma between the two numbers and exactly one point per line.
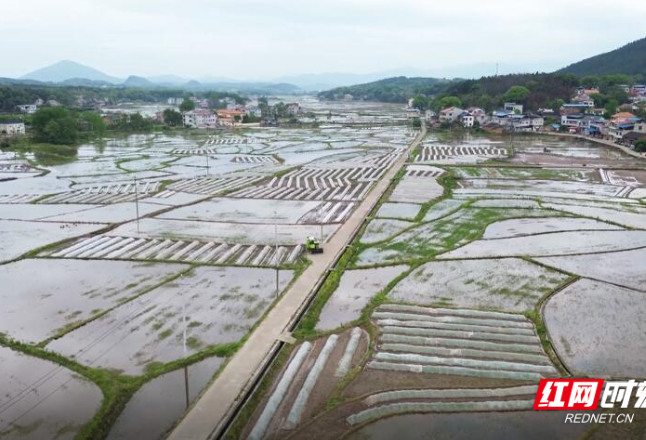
x=536, y=227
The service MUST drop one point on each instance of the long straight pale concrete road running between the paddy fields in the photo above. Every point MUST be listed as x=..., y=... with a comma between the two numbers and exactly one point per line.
x=209, y=415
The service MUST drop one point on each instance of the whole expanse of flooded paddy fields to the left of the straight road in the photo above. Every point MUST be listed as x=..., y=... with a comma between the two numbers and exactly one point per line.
x=142, y=253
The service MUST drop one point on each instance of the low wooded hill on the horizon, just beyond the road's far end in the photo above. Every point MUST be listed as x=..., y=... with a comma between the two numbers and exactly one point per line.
x=397, y=89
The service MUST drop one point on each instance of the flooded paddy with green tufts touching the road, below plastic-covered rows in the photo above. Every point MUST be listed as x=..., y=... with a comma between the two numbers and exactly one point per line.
x=210, y=306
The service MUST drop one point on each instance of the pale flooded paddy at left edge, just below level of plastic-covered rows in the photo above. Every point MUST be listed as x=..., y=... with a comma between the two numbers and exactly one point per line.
x=42, y=298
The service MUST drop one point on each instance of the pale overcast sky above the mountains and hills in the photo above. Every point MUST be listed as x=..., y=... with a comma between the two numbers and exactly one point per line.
x=251, y=39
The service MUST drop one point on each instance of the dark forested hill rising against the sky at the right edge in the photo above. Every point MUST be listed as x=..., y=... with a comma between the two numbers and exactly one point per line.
x=629, y=59
